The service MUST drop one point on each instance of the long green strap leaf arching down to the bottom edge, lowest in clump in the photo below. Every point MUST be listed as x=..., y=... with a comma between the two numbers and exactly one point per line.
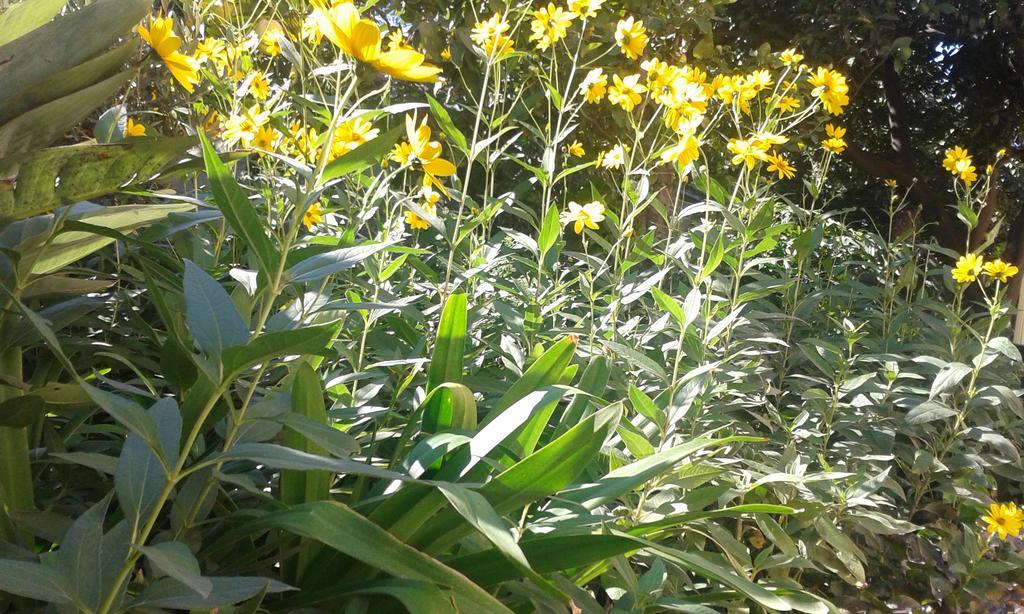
x=339, y=528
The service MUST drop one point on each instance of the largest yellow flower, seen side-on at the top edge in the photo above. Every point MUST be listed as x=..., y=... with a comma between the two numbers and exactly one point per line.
x=361, y=39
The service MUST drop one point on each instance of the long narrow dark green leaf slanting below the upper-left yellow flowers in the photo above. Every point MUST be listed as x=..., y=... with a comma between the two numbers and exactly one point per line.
x=239, y=212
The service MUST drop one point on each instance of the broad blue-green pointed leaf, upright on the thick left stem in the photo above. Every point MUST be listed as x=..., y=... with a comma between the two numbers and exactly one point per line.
x=211, y=316
